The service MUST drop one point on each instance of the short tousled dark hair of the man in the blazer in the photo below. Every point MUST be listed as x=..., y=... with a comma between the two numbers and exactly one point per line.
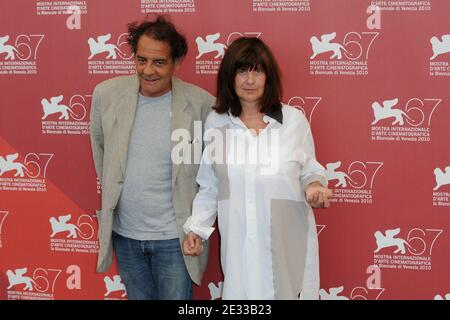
x=160, y=29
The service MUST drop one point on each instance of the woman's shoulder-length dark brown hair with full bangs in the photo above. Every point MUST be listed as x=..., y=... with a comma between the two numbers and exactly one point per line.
x=248, y=54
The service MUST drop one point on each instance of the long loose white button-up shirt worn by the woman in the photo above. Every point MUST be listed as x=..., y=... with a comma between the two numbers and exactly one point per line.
x=245, y=194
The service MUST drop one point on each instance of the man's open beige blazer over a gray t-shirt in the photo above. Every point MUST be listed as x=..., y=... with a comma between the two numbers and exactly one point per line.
x=112, y=113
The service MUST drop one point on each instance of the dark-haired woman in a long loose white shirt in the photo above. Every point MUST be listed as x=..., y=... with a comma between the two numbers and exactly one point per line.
x=260, y=176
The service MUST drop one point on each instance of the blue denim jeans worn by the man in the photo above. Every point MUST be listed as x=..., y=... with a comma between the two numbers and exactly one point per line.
x=152, y=269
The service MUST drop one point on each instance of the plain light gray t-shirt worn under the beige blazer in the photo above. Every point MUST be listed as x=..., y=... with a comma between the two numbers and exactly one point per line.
x=145, y=210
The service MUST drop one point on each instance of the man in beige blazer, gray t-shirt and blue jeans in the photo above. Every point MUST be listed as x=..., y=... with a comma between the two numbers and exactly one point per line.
x=146, y=197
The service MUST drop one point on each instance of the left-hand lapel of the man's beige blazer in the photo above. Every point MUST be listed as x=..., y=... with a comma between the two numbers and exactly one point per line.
x=126, y=109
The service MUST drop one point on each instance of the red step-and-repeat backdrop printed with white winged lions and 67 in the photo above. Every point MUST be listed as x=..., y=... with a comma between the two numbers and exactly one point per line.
x=373, y=82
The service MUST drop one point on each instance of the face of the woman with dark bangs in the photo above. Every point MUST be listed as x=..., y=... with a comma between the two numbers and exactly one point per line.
x=249, y=85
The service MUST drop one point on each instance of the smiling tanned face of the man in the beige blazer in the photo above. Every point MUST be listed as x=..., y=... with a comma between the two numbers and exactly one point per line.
x=154, y=66
